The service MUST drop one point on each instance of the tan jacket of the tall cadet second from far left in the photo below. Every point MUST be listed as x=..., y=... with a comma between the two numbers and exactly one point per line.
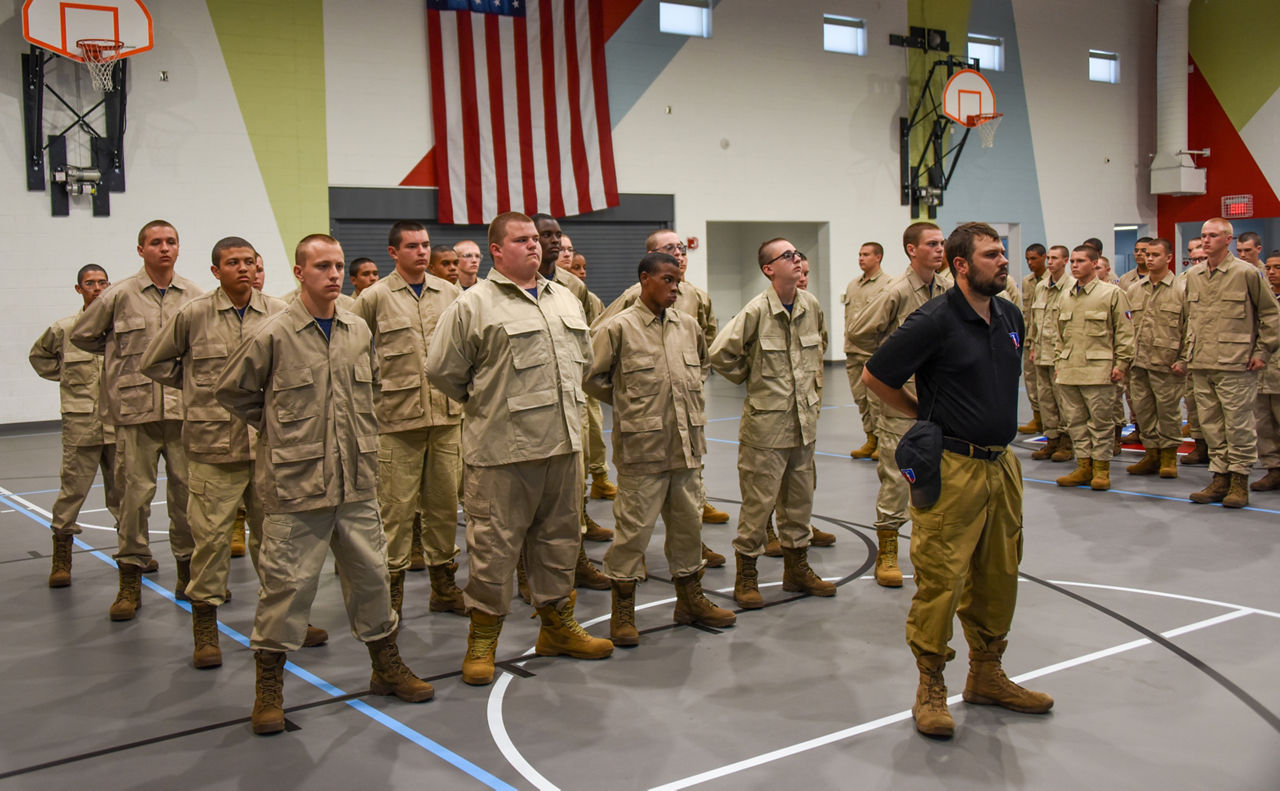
x=121, y=323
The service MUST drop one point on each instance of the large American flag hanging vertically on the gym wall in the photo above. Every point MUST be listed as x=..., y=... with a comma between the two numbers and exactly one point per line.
x=520, y=108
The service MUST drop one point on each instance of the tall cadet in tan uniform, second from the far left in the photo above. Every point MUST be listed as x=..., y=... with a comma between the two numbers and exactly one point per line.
x=148, y=417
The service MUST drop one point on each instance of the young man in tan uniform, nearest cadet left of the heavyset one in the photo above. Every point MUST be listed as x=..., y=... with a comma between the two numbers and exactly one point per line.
x=307, y=382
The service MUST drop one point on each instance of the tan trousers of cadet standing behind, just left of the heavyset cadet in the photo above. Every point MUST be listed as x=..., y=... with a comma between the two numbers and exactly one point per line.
x=419, y=470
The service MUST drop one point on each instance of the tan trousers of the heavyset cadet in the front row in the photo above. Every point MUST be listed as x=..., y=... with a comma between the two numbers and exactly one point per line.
x=531, y=507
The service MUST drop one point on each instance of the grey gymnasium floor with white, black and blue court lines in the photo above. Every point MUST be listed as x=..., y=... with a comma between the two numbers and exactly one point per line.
x=1154, y=624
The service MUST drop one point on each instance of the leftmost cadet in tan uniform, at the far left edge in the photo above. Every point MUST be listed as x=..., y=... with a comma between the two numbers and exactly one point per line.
x=88, y=442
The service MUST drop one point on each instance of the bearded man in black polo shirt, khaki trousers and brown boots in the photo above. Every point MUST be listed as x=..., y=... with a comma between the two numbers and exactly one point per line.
x=966, y=353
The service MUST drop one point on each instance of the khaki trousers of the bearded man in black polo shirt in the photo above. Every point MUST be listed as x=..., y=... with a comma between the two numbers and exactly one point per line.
x=966, y=552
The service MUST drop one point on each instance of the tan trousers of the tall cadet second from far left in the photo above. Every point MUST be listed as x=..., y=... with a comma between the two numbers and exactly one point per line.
x=138, y=452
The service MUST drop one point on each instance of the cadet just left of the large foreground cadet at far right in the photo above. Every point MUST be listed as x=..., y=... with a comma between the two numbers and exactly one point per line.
x=1156, y=301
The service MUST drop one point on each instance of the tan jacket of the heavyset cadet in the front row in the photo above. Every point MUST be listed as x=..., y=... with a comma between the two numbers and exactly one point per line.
x=516, y=364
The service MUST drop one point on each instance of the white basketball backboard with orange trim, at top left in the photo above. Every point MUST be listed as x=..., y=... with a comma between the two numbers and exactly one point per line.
x=58, y=25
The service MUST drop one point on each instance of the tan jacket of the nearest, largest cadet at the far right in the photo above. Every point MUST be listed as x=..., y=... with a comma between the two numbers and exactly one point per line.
x=1232, y=317
